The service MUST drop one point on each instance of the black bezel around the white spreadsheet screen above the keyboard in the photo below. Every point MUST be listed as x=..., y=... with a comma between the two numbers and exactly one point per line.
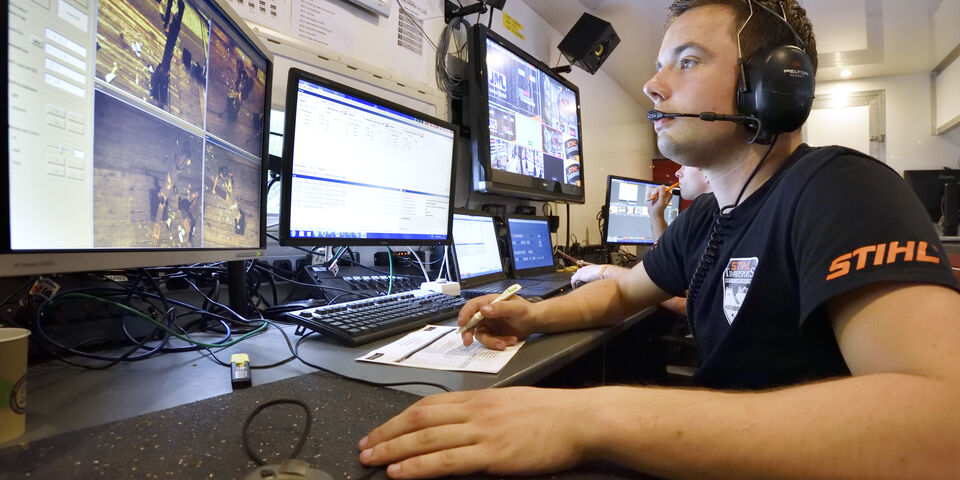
x=289, y=135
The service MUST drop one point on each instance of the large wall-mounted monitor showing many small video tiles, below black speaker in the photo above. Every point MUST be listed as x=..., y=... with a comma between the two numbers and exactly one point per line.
x=525, y=134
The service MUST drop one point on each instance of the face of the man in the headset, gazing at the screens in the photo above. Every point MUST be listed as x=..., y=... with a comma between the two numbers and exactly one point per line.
x=696, y=72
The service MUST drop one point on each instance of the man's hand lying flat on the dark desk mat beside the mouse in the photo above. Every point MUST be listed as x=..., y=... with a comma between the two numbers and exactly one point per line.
x=500, y=431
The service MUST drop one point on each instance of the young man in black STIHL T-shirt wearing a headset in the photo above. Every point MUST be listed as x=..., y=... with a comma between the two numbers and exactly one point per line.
x=843, y=351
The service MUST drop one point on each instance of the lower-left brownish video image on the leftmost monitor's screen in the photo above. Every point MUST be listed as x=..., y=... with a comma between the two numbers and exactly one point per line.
x=147, y=180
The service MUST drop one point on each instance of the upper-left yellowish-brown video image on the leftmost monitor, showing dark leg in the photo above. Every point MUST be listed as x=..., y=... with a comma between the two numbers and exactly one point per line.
x=155, y=50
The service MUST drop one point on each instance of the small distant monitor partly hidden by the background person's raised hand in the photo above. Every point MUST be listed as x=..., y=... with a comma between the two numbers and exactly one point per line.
x=628, y=216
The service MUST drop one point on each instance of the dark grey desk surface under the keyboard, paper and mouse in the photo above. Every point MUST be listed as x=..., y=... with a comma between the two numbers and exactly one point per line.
x=177, y=412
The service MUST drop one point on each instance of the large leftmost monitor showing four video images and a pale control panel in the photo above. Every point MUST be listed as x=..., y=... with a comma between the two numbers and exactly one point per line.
x=135, y=133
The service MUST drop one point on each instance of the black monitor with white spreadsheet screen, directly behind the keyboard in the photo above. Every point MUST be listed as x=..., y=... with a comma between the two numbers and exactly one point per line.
x=360, y=170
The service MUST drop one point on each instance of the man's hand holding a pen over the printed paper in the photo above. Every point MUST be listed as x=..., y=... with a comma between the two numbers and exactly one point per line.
x=504, y=323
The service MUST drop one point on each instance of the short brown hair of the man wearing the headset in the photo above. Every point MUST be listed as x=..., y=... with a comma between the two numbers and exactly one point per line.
x=764, y=31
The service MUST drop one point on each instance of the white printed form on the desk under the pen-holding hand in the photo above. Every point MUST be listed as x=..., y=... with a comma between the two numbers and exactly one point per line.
x=440, y=348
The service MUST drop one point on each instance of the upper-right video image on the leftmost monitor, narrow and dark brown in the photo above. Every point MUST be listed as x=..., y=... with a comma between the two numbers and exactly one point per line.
x=237, y=89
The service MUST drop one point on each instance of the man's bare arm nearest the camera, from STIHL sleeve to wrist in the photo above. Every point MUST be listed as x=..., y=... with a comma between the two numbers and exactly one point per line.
x=897, y=417
